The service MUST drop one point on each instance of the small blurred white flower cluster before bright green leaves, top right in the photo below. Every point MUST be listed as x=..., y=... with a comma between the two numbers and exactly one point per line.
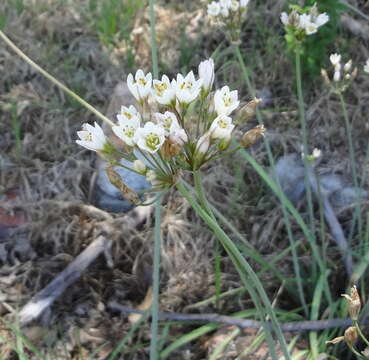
x=309, y=22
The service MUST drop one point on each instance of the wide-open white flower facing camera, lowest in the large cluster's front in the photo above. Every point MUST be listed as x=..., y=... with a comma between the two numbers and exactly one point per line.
x=150, y=138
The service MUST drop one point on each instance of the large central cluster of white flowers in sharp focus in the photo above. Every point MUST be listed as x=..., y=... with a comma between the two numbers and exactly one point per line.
x=163, y=137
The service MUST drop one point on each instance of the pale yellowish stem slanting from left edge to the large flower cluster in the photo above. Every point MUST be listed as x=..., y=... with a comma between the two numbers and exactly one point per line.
x=20, y=53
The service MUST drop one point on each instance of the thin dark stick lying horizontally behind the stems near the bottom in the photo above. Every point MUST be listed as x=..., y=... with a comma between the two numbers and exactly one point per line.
x=298, y=326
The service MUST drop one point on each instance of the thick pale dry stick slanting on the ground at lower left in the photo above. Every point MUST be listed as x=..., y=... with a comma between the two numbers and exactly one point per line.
x=46, y=297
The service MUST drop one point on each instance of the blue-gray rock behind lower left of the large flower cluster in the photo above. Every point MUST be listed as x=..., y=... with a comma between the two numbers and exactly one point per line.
x=108, y=197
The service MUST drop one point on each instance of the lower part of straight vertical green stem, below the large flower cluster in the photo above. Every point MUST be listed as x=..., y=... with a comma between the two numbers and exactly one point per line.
x=156, y=283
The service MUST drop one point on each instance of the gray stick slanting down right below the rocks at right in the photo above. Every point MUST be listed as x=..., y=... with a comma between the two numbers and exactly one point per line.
x=333, y=223
